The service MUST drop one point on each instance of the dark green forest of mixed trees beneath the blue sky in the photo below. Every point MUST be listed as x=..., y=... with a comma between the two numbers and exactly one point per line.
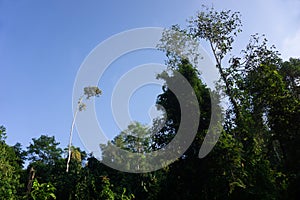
x=257, y=155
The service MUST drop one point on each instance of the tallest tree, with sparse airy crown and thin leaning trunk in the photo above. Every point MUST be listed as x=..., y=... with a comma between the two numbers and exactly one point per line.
x=219, y=29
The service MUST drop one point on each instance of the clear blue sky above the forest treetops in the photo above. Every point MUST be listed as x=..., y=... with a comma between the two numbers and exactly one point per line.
x=43, y=44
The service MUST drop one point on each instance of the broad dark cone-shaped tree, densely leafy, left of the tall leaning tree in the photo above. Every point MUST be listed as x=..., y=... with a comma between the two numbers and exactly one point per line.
x=189, y=176
